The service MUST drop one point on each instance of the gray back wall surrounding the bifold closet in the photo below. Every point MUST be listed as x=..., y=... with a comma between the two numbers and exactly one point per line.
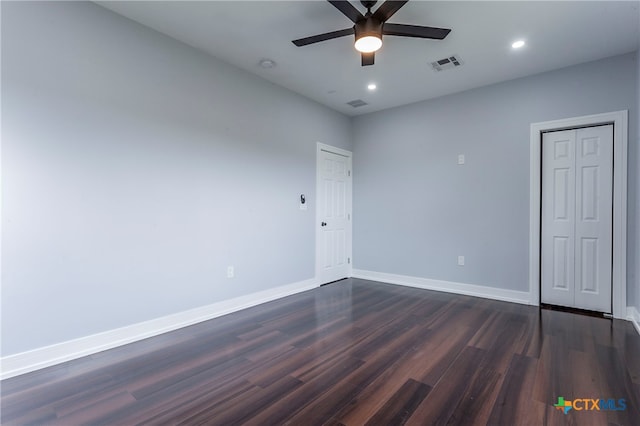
x=416, y=210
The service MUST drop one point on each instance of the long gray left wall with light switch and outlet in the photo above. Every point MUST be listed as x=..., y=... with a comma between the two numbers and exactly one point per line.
x=135, y=169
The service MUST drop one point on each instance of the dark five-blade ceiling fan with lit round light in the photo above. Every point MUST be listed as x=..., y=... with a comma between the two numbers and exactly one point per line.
x=370, y=27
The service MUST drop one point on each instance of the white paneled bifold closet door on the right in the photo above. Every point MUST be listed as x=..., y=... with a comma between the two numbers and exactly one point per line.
x=577, y=218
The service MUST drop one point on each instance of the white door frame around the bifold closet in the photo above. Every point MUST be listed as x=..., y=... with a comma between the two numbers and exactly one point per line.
x=619, y=119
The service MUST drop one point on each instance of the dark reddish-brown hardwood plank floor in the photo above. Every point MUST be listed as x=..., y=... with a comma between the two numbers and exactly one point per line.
x=353, y=353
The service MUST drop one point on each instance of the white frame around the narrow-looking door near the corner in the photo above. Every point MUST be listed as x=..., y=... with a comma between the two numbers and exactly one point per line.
x=339, y=151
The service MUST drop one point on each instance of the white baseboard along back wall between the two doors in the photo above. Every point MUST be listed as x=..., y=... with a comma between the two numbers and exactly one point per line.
x=514, y=296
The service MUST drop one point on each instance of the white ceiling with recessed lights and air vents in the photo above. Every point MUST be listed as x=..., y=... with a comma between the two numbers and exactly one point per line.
x=558, y=34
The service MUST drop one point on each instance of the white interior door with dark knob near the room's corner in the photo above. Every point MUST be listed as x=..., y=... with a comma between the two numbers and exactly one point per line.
x=334, y=215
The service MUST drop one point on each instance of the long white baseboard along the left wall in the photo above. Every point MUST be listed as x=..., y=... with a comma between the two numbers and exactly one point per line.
x=25, y=362
